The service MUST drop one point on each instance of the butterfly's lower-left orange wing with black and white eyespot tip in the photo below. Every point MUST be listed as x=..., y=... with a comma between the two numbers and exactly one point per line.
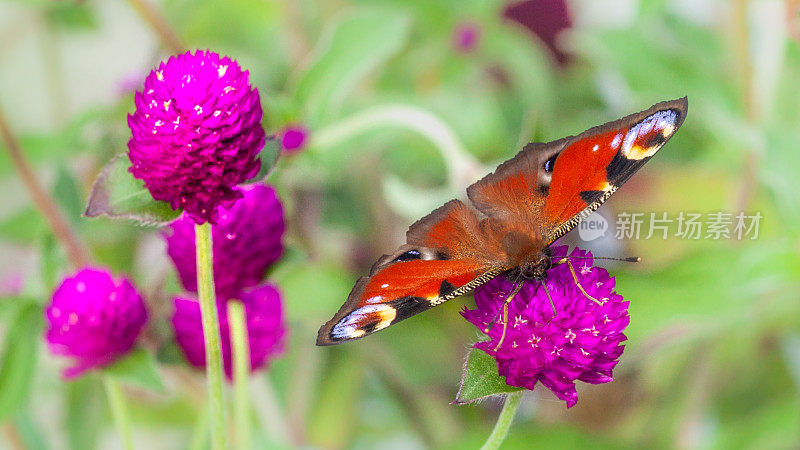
x=444, y=258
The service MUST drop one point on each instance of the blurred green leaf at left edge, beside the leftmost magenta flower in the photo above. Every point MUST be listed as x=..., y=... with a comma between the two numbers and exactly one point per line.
x=18, y=363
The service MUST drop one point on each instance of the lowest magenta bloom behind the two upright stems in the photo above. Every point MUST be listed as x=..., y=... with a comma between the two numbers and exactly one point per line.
x=266, y=330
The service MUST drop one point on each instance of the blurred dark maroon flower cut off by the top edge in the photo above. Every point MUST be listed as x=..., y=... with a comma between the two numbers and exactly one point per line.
x=546, y=19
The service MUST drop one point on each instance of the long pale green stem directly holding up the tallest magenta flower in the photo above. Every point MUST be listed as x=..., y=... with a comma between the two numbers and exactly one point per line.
x=210, y=319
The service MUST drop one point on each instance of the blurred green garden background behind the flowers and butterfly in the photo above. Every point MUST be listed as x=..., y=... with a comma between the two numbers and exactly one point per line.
x=401, y=119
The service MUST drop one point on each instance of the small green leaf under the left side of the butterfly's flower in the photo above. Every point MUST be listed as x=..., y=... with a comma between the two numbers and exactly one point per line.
x=480, y=379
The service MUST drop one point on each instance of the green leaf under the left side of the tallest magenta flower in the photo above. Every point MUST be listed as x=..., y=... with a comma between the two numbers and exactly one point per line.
x=117, y=194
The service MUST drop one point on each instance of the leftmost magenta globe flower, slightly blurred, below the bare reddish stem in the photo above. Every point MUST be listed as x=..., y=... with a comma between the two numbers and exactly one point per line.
x=94, y=319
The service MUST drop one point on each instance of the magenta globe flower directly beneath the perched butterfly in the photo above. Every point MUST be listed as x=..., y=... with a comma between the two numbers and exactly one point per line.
x=582, y=342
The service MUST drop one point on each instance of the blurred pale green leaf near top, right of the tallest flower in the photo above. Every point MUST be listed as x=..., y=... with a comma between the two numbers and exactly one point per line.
x=348, y=50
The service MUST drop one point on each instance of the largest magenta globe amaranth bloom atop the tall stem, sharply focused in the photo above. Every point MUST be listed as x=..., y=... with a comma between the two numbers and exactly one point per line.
x=196, y=133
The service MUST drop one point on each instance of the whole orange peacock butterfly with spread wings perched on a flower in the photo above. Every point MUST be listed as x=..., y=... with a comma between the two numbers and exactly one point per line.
x=516, y=213
